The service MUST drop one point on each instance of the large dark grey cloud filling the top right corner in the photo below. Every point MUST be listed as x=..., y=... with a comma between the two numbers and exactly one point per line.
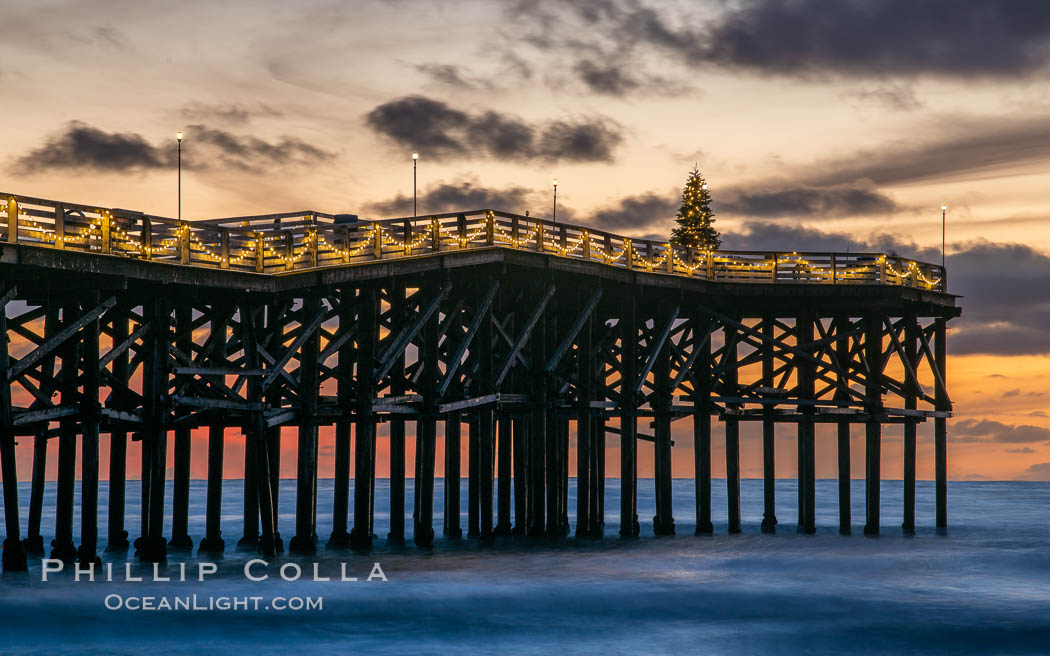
x=802, y=38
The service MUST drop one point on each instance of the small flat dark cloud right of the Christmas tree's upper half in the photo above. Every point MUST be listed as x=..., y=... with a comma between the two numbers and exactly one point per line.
x=807, y=202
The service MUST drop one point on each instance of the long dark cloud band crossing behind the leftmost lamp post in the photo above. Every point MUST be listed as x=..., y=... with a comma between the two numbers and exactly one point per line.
x=85, y=147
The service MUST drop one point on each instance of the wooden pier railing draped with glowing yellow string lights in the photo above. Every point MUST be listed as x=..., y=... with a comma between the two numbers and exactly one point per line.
x=298, y=241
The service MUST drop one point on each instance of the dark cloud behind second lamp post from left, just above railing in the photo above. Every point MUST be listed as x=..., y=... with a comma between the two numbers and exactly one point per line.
x=463, y=195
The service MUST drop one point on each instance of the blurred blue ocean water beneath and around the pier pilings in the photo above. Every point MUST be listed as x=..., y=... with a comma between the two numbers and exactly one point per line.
x=982, y=587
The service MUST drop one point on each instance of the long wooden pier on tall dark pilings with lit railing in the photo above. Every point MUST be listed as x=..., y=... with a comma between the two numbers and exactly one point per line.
x=516, y=331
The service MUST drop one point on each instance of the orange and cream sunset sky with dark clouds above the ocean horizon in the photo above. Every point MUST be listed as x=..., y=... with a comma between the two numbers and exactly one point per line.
x=820, y=125
